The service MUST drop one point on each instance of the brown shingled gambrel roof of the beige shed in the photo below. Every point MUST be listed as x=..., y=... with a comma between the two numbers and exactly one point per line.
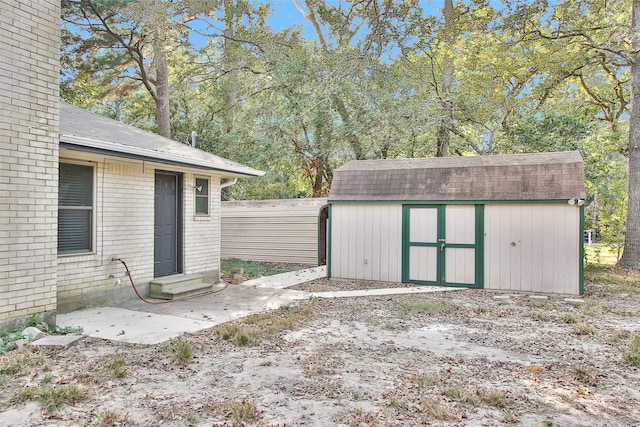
x=539, y=176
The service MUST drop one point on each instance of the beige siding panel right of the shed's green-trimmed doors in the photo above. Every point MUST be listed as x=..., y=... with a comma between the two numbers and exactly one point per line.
x=532, y=248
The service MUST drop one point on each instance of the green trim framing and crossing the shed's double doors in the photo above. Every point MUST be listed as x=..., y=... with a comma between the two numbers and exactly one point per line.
x=478, y=246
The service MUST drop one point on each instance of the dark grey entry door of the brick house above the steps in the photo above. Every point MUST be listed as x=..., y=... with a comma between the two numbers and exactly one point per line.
x=167, y=230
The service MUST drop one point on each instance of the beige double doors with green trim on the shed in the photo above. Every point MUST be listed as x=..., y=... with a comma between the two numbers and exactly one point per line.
x=442, y=245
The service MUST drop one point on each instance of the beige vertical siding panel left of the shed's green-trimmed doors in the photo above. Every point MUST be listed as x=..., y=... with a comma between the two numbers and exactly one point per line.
x=366, y=242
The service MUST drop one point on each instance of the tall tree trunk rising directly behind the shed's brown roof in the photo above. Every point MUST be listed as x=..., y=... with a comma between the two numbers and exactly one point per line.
x=446, y=106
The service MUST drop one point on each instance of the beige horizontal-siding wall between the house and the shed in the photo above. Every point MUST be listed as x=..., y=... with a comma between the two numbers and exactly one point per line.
x=273, y=234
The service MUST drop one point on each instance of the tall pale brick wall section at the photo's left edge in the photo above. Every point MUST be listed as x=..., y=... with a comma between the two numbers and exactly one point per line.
x=29, y=96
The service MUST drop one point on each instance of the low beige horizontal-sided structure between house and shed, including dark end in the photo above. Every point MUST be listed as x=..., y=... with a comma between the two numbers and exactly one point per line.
x=280, y=230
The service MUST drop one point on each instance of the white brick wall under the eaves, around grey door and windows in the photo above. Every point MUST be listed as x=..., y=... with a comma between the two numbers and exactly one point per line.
x=124, y=217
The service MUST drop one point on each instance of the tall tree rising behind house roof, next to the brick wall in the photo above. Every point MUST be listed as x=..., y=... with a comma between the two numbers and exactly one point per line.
x=124, y=41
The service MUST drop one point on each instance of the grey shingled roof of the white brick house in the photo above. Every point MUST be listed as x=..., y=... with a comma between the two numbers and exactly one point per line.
x=85, y=131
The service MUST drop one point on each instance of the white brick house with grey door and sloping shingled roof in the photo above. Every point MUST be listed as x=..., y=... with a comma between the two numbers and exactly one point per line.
x=78, y=191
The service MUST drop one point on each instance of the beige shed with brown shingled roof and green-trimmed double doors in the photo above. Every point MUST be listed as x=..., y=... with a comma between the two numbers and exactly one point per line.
x=502, y=222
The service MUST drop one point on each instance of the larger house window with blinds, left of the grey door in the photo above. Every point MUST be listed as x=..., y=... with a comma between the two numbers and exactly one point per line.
x=75, y=209
